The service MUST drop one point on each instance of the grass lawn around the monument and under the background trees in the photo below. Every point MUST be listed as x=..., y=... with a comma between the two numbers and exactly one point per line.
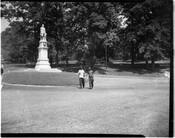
x=15, y=74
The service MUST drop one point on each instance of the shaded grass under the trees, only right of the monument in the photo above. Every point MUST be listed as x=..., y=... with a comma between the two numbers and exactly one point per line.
x=137, y=68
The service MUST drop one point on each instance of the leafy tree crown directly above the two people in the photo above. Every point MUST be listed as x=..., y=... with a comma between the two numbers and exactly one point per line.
x=100, y=22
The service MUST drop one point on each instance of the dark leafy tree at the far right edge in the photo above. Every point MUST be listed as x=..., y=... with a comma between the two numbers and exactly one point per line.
x=153, y=33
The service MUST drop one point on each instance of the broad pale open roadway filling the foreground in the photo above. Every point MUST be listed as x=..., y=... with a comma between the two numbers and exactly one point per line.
x=118, y=105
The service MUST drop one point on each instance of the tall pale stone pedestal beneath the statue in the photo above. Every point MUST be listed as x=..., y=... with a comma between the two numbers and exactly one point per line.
x=42, y=61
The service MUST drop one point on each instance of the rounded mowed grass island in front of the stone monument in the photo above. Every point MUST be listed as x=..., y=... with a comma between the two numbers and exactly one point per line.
x=41, y=78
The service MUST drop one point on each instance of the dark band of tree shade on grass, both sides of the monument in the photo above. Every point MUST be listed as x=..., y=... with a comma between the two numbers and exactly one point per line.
x=137, y=68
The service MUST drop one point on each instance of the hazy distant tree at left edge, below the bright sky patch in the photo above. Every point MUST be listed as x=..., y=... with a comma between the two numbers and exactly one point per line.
x=13, y=44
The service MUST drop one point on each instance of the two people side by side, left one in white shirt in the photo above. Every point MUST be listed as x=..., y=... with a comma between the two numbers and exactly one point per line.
x=81, y=74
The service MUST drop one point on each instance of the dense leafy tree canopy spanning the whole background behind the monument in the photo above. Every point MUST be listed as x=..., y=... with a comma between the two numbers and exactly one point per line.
x=72, y=25
